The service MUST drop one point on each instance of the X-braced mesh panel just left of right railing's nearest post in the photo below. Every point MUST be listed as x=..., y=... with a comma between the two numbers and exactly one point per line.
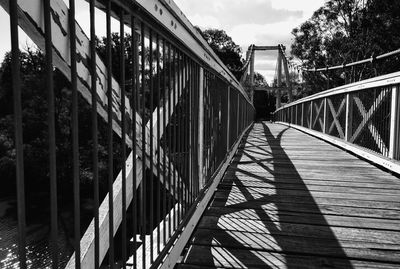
x=370, y=127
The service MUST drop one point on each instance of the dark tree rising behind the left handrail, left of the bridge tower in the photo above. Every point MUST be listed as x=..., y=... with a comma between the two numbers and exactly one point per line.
x=226, y=49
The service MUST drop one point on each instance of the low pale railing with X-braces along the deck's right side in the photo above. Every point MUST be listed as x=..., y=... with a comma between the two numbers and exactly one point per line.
x=362, y=117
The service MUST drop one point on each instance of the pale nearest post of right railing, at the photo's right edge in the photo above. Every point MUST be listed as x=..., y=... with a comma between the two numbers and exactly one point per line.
x=394, y=123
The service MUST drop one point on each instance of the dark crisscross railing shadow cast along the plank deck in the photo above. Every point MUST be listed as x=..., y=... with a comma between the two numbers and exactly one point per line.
x=261, y=223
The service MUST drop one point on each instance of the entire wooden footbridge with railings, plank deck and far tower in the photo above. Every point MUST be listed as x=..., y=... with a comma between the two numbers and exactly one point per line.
x=160, y=163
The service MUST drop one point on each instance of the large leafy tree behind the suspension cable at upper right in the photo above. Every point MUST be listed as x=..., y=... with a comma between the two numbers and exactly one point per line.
x=344, y=31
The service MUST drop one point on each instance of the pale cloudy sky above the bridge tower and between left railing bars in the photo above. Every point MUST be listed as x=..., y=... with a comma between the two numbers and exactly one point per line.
x=259, y=22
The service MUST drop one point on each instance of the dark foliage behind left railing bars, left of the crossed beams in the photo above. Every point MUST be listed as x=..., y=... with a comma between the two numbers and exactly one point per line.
x=35, y=134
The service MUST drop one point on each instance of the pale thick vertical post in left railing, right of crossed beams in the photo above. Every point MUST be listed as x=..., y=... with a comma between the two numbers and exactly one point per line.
x=201, y=128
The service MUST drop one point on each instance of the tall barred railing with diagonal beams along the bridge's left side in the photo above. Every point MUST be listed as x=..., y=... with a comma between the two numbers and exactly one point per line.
x=177, y=111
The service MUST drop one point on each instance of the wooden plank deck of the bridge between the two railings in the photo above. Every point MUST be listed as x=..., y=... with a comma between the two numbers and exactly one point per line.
x=289, y=200
